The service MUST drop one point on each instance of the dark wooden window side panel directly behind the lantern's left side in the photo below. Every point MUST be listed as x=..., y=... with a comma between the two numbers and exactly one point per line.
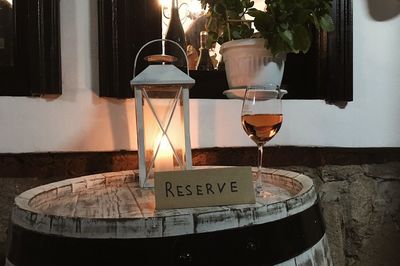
x=124, y=27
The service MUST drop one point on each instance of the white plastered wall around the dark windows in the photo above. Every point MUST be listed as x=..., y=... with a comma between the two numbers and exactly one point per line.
x=79, y=120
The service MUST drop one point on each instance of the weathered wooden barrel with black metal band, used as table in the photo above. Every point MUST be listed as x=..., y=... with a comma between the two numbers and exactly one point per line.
x=107, y=219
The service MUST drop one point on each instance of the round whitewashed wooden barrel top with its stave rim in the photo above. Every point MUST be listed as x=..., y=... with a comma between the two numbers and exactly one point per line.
x=112, y=205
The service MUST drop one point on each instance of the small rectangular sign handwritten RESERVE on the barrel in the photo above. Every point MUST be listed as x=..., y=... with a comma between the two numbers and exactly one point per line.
x=204, y=187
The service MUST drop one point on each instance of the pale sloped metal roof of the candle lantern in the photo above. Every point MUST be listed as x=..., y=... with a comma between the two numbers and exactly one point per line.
x=162, y=75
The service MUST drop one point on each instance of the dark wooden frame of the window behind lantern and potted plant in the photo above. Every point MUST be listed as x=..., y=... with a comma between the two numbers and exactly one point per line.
x=326, y=72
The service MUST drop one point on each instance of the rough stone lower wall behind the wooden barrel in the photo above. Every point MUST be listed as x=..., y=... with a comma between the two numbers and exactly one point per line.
x=360, y=205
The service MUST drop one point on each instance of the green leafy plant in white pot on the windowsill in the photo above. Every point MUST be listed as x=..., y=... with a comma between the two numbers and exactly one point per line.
x=256, y=58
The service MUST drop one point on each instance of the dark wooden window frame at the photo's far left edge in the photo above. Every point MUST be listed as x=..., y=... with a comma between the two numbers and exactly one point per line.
x=37, y=55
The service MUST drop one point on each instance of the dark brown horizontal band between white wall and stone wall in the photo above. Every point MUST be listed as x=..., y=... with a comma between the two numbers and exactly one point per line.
x=71, y=164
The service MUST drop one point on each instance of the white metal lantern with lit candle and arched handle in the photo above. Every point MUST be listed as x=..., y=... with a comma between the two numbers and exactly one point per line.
x=162, y=117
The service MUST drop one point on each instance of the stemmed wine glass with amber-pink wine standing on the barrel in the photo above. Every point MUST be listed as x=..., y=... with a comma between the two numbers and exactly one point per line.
x=261, y=120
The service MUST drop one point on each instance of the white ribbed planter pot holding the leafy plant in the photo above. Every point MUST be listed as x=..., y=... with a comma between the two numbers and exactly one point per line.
x=249, y=63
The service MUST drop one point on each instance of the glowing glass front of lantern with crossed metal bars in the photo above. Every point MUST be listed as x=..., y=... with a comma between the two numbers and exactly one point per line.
x=164, y=133
